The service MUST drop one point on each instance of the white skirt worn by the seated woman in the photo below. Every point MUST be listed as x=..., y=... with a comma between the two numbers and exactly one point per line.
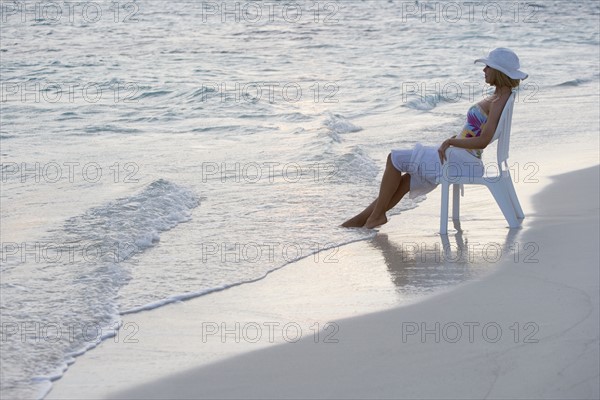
x=425, y=168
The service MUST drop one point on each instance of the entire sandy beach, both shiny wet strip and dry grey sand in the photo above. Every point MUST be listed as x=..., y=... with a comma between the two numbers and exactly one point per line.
x=524, y=327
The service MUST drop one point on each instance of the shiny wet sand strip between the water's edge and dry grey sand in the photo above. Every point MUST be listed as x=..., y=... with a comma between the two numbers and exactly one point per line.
x=282, y=298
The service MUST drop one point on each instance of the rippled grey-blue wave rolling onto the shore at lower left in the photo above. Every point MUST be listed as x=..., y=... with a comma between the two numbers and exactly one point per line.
x=93, y=262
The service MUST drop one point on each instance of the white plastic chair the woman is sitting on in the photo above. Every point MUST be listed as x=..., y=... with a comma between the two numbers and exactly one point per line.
x=500, y=184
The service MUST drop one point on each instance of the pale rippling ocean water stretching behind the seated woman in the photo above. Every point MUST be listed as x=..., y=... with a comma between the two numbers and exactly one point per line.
x=161, y=150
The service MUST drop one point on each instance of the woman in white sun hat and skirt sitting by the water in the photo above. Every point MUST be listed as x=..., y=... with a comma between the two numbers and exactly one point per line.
x=422, y=165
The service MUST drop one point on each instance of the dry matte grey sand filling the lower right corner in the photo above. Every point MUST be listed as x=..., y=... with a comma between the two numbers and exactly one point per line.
x=539, y=320
